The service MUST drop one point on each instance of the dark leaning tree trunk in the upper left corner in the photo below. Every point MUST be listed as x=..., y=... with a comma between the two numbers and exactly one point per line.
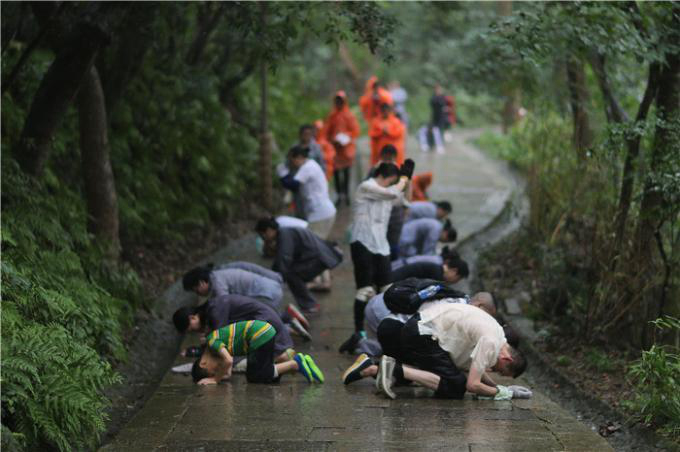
x=56, y=92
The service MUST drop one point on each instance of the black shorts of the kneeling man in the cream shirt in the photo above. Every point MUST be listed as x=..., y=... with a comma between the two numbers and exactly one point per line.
x=423, y=352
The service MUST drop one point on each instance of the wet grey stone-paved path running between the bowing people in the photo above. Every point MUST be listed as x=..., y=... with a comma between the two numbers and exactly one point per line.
x=294, y=415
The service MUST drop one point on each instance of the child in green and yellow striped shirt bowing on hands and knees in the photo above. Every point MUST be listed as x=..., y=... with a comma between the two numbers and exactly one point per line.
x=254, y=339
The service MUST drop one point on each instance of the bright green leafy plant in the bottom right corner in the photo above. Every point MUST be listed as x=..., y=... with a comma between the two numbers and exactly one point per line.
x=657, y=385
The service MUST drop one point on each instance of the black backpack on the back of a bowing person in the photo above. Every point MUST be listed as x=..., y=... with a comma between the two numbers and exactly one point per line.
x=406, y=296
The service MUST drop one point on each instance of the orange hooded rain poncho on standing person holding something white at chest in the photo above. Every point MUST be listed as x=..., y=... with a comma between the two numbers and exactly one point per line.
x=342, y=120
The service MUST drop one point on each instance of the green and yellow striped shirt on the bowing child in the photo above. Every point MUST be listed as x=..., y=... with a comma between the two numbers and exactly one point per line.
x=241, y=337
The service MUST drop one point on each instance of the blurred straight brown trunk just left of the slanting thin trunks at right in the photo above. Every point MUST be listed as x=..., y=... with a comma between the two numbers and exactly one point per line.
x=576, y=82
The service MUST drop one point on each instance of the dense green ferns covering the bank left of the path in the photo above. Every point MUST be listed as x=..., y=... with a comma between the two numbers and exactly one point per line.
x=60, y=323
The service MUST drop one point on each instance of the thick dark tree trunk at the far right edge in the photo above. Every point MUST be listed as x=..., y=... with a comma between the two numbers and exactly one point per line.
x=666, y=144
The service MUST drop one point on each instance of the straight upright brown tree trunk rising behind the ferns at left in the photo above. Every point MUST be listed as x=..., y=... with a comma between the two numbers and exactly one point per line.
x=100, y=186
